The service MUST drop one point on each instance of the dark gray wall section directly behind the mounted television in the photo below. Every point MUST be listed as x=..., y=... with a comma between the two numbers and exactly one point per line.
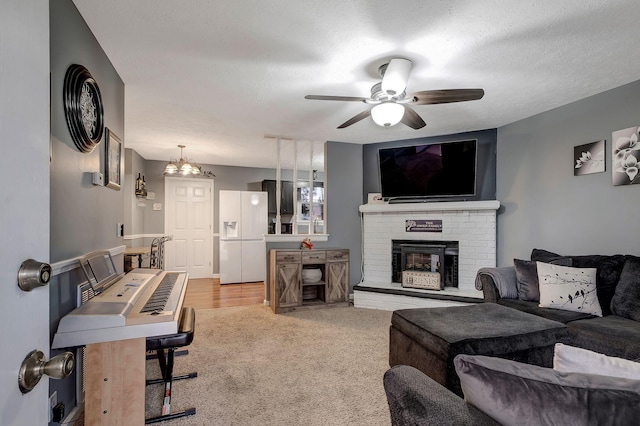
x=486, y=163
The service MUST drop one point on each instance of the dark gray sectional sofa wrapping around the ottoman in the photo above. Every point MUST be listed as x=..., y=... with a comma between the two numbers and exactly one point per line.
x=416, y=399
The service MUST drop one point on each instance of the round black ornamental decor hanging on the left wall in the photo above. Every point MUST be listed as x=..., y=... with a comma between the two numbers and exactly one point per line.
x=83, y=108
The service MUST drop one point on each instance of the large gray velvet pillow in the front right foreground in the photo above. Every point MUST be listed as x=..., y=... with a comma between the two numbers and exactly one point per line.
x=514, y=393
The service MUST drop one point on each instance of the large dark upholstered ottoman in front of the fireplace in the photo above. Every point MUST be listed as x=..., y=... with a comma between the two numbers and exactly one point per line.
x=429, y=338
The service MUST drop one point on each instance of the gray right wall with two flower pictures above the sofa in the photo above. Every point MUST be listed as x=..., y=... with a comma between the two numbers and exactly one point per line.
x=544, y=205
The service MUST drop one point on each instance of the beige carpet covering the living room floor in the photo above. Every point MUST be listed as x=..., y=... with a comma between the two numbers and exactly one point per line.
x=320, y=367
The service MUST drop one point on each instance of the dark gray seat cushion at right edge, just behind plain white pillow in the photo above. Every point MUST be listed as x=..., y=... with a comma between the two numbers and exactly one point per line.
x=611, y=335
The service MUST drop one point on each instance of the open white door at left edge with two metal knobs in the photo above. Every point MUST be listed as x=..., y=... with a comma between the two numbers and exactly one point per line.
x=24, y=132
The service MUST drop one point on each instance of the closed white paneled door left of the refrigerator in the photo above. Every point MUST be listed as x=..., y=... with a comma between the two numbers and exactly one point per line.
x=188, y=218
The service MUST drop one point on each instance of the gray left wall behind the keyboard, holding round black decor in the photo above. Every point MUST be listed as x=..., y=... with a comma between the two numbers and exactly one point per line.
x=83, y=217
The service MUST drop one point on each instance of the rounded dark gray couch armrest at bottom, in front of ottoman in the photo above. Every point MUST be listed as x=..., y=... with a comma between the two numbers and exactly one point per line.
x=416, y=399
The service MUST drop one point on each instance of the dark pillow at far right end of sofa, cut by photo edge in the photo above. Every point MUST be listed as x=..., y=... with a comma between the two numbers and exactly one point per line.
x=626, y=299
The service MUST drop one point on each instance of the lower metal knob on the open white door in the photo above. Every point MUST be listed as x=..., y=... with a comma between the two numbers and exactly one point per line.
x=34, y=366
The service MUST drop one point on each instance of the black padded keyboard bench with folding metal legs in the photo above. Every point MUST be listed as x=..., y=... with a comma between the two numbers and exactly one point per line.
x=165, y=347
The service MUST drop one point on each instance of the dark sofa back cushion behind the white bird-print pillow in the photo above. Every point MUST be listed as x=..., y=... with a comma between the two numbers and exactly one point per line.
x=609, y=269
